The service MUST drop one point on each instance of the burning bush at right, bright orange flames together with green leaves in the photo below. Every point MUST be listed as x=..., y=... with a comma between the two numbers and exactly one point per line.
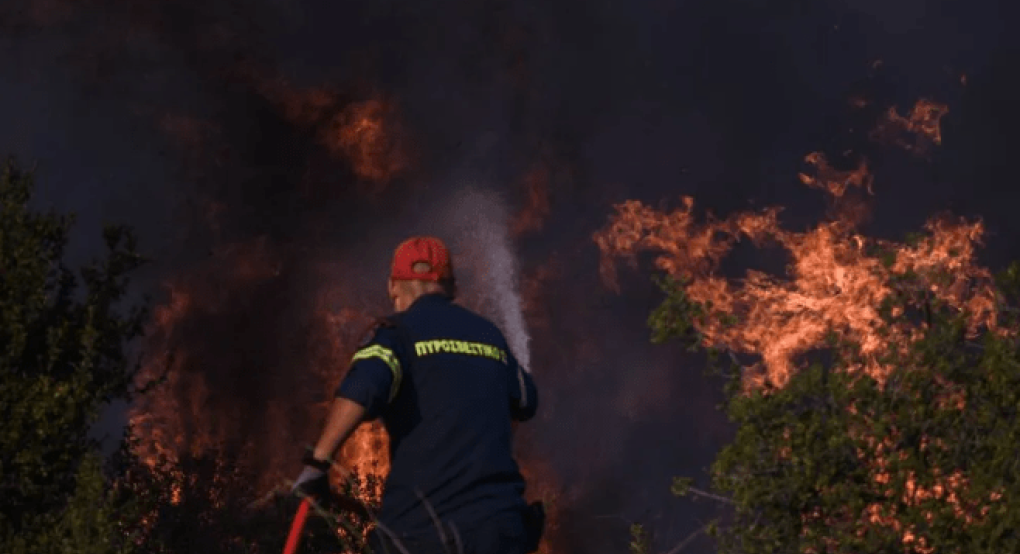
x=882, y=307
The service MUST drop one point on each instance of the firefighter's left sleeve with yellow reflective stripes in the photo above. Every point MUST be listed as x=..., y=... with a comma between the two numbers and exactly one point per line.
x=376, y=373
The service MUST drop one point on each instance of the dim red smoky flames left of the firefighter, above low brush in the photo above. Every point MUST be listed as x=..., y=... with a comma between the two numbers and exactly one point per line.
x=246, y=408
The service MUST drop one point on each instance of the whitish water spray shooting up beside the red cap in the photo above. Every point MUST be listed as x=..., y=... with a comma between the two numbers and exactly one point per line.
x=478, y=222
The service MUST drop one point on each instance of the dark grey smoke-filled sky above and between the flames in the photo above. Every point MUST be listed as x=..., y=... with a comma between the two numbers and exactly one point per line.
x=646, y=100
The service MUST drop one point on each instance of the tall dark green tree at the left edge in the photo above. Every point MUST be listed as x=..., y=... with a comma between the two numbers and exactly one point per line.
x=64, y=357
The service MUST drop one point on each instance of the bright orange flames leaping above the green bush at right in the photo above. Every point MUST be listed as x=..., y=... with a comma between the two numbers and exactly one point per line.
x=836, y=283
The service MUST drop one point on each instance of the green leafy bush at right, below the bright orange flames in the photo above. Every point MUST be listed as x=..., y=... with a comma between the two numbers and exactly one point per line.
x=920, y=459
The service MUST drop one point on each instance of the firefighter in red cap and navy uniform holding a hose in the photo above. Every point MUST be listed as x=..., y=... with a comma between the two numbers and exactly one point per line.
x=447, y=388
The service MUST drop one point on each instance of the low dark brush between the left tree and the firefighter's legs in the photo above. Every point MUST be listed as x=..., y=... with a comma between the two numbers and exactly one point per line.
x=210, y=505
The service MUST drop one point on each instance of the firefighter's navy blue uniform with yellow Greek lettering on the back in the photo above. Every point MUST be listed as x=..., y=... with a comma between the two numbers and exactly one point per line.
x=447, y=387
